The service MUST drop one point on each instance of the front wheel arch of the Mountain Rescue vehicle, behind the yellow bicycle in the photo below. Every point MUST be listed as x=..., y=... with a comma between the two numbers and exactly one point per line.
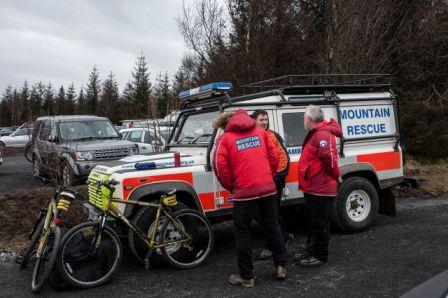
x=185, y=194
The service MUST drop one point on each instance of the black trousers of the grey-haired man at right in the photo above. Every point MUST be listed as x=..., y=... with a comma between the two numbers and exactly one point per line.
x=318, y=225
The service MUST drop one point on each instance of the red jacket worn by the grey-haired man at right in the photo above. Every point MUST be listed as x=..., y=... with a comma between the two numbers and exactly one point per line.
x=318, y=164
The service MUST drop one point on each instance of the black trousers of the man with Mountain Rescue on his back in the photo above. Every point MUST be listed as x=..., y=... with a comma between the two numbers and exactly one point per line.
x=243, y=213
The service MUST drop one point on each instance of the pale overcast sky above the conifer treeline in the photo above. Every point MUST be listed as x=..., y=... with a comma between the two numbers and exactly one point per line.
x=60, y=41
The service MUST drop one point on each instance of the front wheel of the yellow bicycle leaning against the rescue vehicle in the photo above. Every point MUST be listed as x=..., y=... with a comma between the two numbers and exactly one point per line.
x=67, y=265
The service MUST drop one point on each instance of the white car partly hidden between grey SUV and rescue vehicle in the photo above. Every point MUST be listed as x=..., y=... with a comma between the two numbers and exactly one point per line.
x=147, y=139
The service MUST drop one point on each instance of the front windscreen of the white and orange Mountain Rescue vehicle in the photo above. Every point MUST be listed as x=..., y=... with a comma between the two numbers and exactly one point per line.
x=197, y=129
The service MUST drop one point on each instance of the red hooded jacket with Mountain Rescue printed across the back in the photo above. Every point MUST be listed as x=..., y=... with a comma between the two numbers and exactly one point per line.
x=245, y=159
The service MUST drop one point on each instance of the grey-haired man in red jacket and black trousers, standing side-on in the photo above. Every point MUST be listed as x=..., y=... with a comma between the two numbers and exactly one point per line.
x=318, y=179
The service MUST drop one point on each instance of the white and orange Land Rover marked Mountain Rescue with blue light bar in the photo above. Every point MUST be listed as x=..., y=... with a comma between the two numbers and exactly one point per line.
x=370, y=153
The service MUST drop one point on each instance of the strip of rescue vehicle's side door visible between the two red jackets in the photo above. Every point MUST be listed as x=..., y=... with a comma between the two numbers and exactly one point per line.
x=290, y=127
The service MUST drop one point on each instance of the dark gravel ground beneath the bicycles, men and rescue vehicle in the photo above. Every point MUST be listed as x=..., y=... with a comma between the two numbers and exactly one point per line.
x=394, y=256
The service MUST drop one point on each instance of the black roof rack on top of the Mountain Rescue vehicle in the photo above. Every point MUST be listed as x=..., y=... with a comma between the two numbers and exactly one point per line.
x=321, y=80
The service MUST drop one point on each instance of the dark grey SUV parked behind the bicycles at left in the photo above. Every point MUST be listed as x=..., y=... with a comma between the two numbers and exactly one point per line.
x=70, y=146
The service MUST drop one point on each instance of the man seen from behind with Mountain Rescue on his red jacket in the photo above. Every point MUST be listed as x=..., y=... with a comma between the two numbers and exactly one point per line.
x=245, y=161
